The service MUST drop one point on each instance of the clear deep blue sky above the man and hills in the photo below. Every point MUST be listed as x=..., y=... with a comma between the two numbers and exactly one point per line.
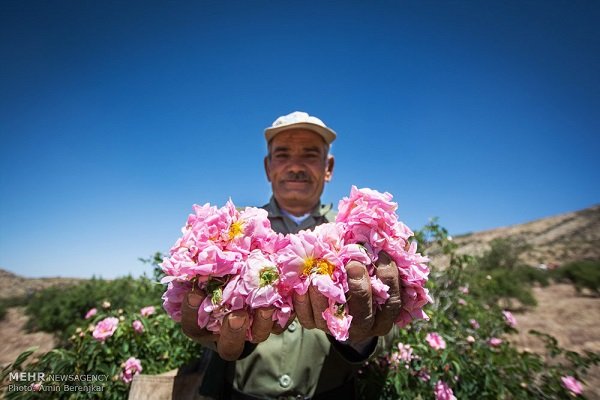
x=116, y=117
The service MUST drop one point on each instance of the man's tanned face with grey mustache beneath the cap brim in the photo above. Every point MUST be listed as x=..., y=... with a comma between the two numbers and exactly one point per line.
x=298, y=167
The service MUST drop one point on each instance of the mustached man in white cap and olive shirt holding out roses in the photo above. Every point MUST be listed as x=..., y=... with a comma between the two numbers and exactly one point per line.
x=300, y=360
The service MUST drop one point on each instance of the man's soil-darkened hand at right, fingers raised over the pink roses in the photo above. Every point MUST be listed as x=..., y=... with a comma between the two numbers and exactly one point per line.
x=367, y=320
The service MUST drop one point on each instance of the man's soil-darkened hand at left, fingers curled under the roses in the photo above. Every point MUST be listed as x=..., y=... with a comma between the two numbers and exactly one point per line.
x=230, y=341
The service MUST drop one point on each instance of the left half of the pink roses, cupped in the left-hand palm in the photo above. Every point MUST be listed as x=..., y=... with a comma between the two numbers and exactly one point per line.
x=229, y=255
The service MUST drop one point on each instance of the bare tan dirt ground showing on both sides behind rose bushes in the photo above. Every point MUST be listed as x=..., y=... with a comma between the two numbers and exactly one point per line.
x=571, y=318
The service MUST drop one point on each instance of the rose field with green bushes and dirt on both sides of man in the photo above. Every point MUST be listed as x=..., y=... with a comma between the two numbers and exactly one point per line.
x=497, y=329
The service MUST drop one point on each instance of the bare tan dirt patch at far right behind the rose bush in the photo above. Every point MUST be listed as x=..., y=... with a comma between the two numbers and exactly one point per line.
x=573, y=319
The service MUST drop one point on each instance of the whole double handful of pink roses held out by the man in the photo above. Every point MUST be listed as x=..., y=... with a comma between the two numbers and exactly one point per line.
x=241, y=263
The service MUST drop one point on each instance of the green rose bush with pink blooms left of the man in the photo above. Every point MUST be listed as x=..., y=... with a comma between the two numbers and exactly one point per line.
x=115, y=344
